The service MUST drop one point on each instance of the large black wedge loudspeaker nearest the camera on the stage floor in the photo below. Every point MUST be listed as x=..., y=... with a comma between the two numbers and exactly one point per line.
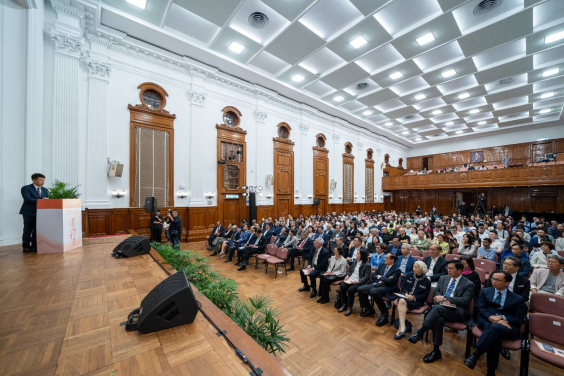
x=171, y=303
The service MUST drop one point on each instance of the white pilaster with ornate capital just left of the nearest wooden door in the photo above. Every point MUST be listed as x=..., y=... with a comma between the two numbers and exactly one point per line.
x=97, y=135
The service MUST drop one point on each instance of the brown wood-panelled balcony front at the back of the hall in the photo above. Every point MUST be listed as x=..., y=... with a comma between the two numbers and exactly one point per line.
x=507, y=177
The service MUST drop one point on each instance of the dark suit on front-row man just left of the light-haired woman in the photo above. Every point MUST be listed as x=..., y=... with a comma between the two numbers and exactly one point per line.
x=385, y=285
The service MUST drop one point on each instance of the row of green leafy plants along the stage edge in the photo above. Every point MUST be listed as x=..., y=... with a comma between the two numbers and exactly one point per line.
x=256, y=316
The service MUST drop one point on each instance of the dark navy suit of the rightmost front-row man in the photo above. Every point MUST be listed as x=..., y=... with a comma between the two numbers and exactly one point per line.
x=514, y=310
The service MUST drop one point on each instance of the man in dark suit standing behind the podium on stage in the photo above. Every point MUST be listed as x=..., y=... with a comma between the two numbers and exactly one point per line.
x=31, y=193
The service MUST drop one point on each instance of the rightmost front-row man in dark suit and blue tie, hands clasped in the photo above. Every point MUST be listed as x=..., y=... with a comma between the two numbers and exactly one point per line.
x=500, y=316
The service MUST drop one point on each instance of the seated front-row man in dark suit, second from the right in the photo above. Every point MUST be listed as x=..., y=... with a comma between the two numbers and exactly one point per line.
x=452, y=296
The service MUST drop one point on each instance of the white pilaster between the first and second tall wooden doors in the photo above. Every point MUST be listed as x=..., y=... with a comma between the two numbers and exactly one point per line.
x=197, y=119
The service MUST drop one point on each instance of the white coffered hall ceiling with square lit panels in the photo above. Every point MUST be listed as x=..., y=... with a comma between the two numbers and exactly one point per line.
x=481, y=68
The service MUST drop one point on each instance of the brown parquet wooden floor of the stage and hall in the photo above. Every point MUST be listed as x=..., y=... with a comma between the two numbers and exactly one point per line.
x=60, y=314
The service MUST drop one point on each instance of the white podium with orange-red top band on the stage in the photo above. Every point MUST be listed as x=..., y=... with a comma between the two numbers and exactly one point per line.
x=59, y=225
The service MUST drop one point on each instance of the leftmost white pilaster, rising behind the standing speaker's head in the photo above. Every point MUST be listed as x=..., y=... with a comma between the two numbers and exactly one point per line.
x=34, y=91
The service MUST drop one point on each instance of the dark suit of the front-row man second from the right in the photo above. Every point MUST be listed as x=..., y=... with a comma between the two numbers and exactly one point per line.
x=461, y=297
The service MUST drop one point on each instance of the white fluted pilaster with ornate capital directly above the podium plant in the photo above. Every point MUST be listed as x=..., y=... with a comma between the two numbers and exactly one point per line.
x=65, y=107
